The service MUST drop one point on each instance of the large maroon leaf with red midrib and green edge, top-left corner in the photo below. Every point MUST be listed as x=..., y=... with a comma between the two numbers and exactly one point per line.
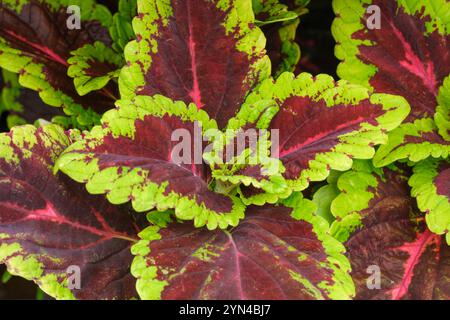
x=36, y=42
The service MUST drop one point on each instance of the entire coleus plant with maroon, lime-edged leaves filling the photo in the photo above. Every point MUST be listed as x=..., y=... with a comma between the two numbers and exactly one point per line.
x=357, y=180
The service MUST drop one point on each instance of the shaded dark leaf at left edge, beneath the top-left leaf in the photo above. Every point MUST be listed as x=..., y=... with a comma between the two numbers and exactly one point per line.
x=22, y=105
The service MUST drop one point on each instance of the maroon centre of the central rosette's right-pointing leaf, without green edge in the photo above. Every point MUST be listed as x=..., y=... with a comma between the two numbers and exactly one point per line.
x=306, y=132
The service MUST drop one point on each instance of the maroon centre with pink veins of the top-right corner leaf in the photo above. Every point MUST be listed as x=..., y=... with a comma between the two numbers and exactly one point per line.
x=413, y=65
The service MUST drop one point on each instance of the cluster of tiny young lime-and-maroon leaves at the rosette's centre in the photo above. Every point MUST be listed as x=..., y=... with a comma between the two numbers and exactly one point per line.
x=242, y=157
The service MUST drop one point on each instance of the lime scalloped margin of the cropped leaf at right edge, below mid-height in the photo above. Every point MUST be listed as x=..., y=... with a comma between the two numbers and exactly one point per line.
x=436, y=207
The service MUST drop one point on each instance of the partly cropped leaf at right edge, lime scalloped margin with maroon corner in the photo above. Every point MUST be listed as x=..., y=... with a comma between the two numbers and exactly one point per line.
x=431, y=186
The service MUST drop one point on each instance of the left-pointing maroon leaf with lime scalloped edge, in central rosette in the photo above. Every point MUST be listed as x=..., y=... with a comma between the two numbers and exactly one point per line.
x=133, y=157
